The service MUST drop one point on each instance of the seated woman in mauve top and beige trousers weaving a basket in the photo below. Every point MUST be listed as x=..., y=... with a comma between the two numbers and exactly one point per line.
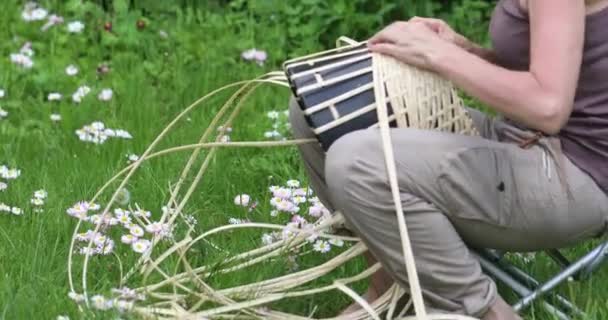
x=535, y=181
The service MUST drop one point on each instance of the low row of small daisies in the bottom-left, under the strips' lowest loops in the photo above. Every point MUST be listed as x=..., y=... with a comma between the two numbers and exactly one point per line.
x=123, y=299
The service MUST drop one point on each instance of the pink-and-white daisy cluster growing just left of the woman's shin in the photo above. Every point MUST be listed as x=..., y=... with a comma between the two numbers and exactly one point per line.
x=305, y=210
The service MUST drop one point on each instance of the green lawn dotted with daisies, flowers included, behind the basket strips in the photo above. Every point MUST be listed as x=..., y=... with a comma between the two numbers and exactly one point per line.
x=62, y=78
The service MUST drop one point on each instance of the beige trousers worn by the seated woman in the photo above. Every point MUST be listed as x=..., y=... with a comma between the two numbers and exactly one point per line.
x=457, y=192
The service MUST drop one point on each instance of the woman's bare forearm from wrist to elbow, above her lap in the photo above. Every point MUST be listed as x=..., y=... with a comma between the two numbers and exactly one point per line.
x=516, y=94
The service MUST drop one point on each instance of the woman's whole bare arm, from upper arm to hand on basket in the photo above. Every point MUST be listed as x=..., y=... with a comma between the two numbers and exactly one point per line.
x=541, y=98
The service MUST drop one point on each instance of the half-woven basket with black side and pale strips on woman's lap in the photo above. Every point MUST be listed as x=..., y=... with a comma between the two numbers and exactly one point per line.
x=336, y=93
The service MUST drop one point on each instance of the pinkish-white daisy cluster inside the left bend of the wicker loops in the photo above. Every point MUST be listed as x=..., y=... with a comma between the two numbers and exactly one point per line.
x=132, y=225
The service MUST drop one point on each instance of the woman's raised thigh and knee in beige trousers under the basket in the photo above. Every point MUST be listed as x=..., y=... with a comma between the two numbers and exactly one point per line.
x=496, y=194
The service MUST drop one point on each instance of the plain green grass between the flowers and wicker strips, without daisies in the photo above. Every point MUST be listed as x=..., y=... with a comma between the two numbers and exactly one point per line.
x=153, y=79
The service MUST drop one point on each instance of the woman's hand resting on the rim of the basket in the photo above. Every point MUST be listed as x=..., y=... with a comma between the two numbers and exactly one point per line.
x=412, y=43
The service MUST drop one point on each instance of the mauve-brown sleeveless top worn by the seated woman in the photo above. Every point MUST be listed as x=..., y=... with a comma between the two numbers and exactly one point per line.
x=584, y=138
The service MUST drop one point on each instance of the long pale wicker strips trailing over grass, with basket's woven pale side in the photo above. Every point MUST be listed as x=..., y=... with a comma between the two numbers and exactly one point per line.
x=418, y=98
